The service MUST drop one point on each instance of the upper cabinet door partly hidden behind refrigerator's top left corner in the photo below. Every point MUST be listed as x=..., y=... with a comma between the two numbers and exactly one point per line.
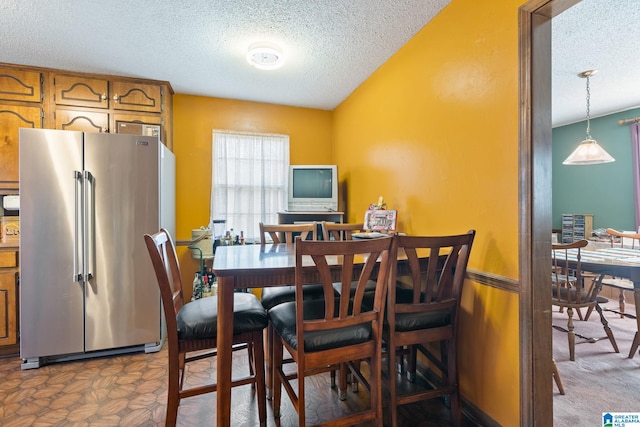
x=12, y=118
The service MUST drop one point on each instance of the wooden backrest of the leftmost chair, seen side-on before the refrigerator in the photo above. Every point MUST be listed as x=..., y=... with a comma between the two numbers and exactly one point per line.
x=165, y=264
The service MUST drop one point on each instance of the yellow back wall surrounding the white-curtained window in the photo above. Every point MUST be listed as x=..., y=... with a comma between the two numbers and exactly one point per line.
x=194, y=119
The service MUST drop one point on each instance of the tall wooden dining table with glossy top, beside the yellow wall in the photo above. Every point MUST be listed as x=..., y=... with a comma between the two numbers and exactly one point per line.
x=255, y=266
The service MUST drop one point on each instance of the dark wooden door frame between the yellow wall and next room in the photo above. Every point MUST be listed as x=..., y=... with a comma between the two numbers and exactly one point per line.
x=534, y=209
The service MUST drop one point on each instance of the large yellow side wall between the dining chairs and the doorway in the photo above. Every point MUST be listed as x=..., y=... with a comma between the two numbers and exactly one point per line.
x=435, y=131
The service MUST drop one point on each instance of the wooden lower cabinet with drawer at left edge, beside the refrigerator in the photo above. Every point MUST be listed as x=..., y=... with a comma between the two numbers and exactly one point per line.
x=8, y=300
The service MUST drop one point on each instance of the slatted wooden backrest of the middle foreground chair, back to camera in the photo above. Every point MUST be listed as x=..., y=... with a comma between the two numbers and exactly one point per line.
x=373, y=256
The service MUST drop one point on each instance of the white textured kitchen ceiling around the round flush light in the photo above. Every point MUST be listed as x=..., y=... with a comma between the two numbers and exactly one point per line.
x=199, y=46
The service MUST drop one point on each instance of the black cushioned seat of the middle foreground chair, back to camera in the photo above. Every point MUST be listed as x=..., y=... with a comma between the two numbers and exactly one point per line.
x=283, y=319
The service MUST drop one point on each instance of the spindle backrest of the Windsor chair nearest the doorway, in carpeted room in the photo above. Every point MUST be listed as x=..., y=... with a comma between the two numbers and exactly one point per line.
x=570, y=285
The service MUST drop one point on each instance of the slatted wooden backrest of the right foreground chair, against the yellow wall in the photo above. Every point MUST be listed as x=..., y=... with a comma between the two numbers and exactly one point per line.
x=433, y=283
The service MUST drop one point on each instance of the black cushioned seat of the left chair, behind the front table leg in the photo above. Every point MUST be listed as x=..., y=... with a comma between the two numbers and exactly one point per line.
x=198, y=319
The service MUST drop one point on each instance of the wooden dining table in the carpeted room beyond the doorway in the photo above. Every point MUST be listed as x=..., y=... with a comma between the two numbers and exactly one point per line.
x=618, y=262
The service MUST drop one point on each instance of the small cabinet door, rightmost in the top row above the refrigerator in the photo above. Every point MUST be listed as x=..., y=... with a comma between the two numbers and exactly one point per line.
x=136, y=96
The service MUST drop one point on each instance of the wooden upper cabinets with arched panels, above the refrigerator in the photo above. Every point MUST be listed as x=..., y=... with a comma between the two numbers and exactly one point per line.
x=34, y=97
